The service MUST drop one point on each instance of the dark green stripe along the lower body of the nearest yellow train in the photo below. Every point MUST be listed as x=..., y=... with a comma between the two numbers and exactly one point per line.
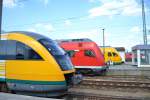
x=36, y=82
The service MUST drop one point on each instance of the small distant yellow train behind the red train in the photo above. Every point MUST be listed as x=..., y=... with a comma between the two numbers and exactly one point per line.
x=111, y=55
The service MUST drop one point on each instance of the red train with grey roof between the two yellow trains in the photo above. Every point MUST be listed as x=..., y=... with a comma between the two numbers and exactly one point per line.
x=85, y=55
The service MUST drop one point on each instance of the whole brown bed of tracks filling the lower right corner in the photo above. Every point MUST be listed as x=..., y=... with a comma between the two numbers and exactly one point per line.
x=111, y=88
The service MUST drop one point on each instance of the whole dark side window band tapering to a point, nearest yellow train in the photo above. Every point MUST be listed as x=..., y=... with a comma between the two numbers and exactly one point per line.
x=12, y=50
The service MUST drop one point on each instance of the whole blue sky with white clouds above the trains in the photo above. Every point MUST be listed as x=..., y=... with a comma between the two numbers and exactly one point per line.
x=65, y=19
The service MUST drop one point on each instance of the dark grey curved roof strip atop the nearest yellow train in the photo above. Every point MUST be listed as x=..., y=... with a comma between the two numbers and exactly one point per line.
x=32, y=34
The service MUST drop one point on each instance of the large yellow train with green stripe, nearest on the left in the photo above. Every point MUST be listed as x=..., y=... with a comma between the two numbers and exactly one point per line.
x=33, y=64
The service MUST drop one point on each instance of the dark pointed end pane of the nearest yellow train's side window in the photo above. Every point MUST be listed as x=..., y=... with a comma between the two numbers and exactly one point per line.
x=25, y=52
